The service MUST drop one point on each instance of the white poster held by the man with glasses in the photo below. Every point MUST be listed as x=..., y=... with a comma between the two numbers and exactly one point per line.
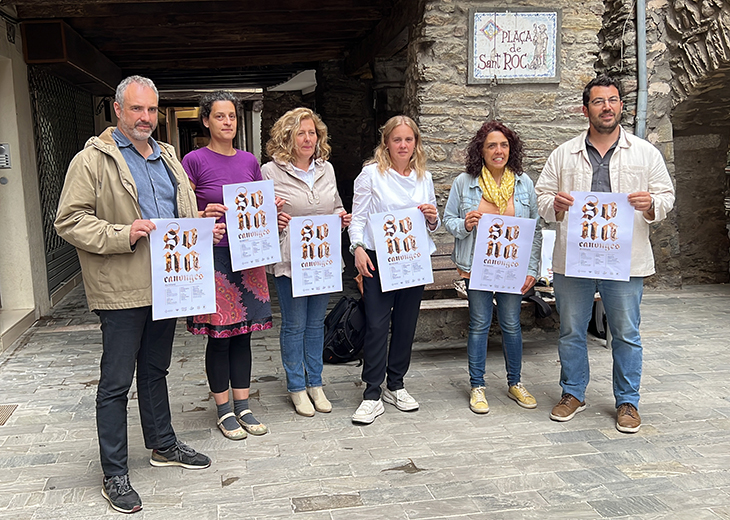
x=600, y=228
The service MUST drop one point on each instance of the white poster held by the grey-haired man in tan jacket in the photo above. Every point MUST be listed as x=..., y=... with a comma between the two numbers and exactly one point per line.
x=183, y=276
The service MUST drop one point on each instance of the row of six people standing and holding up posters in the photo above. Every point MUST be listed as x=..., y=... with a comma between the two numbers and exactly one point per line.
x=124, y=178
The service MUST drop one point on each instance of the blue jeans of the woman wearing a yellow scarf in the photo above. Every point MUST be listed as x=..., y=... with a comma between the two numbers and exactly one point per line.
x=480, y=319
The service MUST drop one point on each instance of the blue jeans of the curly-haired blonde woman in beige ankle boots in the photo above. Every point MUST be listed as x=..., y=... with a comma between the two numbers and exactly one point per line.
x=302, y=335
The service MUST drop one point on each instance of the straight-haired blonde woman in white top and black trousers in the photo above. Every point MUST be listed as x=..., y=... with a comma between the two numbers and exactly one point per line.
x=395, y=178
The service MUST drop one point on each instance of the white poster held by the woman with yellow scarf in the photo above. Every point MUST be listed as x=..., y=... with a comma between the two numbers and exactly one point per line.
x=502, y=253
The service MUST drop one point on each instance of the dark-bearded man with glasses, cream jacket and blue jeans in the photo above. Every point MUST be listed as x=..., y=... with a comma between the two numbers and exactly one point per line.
x=605, y=158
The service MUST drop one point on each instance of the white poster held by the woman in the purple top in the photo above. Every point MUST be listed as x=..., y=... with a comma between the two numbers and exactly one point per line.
x=253, y=238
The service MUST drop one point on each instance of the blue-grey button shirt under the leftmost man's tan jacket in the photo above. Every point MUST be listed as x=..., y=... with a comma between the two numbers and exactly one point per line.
x=156, y=190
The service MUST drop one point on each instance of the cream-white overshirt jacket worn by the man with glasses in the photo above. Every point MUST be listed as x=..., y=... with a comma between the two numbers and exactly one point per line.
x=636, y=165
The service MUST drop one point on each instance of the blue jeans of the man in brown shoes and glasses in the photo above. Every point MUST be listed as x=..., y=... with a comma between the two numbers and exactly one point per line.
x=574, y=301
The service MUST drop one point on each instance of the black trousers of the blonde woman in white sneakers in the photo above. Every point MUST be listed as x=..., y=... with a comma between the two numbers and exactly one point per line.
x=396, y=311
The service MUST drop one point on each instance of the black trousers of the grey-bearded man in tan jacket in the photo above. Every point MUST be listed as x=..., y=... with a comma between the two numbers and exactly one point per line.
x=130, y=338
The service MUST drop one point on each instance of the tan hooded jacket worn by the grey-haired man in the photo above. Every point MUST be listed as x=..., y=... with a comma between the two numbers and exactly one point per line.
x=95, y=212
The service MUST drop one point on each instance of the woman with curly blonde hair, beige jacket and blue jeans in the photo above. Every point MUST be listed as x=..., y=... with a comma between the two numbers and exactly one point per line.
x=305, y=180
